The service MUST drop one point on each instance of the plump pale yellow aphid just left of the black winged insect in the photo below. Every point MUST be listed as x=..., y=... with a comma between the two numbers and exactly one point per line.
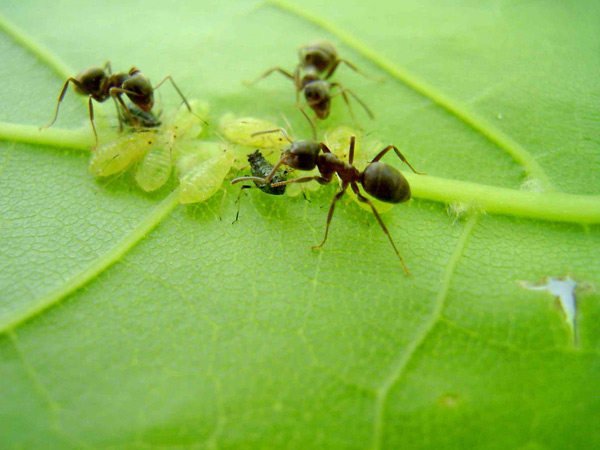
x=203, y=180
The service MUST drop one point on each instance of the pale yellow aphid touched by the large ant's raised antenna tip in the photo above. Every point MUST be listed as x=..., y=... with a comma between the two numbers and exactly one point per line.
x=240, y=131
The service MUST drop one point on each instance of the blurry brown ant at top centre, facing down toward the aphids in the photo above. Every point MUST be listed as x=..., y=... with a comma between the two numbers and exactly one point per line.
x=318, y=62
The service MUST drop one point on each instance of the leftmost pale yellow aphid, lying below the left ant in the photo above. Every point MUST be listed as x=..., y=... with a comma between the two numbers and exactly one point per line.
x=118, y=155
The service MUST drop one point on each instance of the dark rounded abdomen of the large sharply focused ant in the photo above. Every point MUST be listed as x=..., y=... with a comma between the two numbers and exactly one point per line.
x=385, y=183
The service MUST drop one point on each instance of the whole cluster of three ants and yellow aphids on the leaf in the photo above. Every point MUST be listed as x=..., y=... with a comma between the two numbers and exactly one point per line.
x=156, y=145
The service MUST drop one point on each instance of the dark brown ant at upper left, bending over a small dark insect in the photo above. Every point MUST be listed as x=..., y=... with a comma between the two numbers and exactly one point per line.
x=99, y=83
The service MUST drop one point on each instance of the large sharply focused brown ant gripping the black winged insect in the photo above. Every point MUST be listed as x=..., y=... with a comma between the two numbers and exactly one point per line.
x=380, y=180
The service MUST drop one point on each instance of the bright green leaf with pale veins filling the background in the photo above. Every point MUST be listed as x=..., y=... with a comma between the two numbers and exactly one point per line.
x=130, y=321
